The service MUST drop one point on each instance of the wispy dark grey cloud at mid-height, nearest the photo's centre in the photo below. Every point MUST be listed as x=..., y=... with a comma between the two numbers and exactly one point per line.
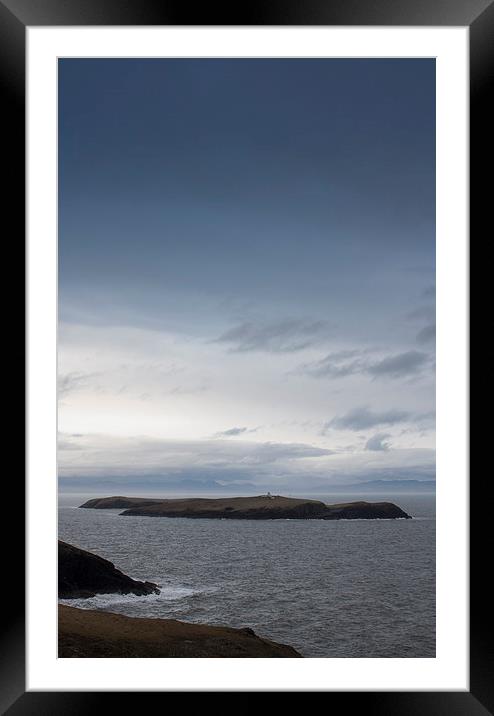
x=286, y=336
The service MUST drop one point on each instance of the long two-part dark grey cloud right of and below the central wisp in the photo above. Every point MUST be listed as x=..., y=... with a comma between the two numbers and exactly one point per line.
x=355, y=362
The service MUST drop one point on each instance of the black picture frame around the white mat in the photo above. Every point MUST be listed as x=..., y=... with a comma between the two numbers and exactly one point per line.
x=478, y=15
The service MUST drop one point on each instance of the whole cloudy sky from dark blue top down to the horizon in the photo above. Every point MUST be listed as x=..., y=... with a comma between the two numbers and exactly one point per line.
x=247, y=271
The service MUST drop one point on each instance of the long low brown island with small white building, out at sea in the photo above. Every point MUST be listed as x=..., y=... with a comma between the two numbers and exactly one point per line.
x=260, y=507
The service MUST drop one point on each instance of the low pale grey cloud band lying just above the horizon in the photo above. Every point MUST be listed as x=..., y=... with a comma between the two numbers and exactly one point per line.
x=275, y=466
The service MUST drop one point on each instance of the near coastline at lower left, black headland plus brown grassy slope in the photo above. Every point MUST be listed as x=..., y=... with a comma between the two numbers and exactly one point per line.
x=91, y=633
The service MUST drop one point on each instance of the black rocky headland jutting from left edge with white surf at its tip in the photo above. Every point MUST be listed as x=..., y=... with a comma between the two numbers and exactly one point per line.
x=82, y=575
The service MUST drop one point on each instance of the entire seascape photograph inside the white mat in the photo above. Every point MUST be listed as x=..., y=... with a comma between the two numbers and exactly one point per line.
x=246, y=357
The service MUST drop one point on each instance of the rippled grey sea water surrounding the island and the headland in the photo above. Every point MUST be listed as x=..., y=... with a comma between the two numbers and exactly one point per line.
x=347, y=588
